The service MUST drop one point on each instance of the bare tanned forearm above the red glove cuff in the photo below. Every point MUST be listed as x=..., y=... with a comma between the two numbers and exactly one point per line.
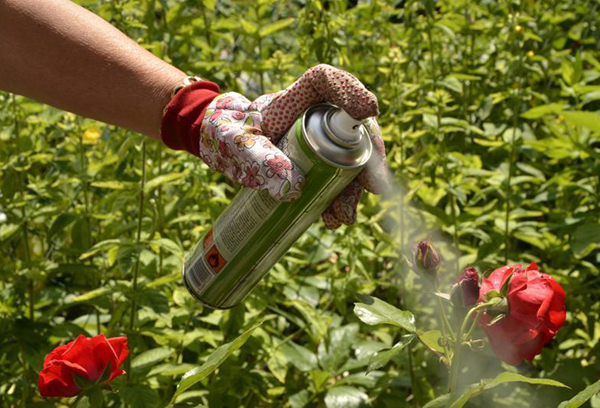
x=58, y=53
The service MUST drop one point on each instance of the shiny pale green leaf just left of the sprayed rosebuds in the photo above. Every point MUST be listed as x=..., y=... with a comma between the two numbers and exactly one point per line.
x=373, y=311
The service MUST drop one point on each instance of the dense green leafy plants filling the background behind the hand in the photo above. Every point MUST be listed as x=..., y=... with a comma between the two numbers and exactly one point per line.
x=489, y=111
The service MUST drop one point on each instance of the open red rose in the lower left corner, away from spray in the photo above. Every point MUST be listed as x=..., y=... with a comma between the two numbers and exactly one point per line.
x=85, y=357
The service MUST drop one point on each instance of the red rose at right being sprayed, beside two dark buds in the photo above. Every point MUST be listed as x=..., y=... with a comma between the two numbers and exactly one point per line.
x=536, y=310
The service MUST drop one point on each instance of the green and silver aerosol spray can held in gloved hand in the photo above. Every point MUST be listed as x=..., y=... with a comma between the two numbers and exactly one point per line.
x=254, y=231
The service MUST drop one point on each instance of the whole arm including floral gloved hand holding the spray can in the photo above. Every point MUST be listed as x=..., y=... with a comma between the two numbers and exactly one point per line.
x=61, y=54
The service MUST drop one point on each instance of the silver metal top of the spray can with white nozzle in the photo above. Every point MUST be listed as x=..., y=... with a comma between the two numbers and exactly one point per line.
x=336, y=137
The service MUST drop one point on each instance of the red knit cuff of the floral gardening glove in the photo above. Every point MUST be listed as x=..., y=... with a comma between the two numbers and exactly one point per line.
x=180, y=127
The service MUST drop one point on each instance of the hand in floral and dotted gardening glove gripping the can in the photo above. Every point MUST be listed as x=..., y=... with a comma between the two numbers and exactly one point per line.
x=238, y=137
